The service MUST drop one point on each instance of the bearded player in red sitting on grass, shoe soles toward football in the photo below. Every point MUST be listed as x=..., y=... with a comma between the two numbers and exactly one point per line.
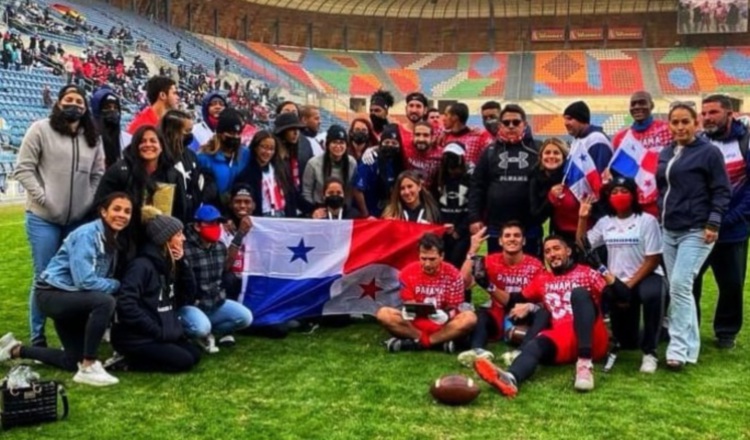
x=572, y=294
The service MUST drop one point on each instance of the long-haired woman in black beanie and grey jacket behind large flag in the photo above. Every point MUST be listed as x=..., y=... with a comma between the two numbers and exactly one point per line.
x=333, y=163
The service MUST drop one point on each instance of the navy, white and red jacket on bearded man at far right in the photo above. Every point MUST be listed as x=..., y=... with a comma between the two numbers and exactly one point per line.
x=734, y=225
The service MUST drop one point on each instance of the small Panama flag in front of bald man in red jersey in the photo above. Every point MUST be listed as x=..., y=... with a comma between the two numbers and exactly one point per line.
x=633, y=160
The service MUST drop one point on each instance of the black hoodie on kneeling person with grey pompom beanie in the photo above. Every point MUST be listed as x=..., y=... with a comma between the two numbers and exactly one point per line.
x=148, y=299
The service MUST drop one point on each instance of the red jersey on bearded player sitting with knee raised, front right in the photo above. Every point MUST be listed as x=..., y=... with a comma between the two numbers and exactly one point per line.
x=554, y=290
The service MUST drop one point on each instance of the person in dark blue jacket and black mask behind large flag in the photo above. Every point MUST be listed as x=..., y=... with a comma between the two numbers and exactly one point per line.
x=373, y=184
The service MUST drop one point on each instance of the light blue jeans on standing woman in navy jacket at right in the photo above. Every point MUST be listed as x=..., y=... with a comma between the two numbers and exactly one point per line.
x=684, y=254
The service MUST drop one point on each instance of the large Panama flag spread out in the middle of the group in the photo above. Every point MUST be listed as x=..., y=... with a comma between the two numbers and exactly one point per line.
x=298, y=268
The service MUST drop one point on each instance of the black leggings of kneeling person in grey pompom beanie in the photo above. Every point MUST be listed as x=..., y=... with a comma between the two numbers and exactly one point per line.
x=167, y=357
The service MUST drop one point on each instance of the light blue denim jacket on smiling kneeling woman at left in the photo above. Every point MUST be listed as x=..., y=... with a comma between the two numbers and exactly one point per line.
x=82, y=263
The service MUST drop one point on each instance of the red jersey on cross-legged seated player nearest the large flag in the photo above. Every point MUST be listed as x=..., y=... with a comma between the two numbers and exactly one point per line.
x=445, y=288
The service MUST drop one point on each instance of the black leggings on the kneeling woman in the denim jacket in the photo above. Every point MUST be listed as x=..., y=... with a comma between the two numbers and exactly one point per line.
x=80, y=318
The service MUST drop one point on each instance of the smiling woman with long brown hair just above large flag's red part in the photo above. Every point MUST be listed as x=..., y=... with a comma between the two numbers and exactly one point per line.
x=411, y=201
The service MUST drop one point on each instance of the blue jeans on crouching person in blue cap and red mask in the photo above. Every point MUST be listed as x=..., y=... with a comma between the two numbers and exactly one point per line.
x=224, y=320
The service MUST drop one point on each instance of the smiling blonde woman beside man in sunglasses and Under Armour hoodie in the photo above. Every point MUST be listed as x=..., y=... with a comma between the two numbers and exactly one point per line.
x=548, y=196
